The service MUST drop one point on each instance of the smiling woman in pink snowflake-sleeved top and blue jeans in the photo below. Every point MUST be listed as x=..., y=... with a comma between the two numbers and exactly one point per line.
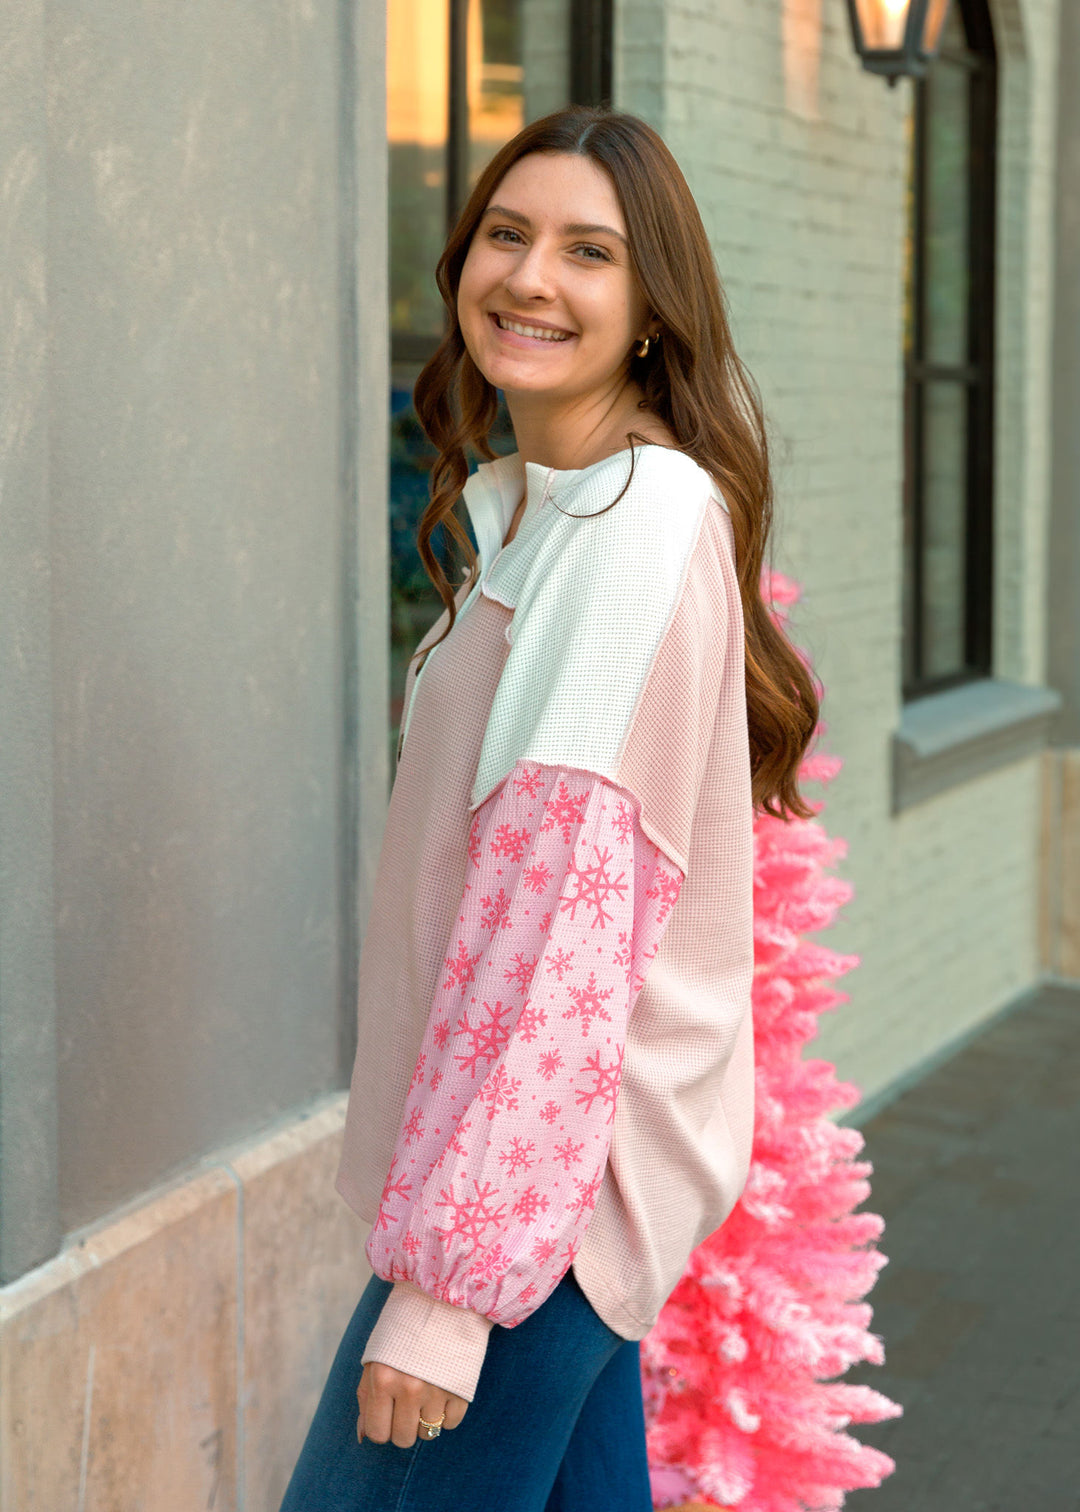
x=553, y=1094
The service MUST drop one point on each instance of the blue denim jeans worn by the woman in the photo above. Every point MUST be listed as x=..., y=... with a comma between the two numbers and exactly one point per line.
x=557, y=1425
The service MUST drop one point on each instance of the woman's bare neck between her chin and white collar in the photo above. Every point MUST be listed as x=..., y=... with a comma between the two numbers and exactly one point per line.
x=577, y=433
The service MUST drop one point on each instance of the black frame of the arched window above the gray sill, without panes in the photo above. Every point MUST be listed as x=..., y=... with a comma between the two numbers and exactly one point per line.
x=976, y=376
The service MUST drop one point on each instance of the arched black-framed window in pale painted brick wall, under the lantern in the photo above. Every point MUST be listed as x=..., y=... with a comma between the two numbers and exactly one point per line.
x=949, y=361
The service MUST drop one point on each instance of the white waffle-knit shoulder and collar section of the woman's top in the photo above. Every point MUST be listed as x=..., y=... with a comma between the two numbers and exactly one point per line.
x=595, y=584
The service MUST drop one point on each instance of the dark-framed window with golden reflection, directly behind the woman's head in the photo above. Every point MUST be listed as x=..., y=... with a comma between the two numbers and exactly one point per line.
x=464, y=76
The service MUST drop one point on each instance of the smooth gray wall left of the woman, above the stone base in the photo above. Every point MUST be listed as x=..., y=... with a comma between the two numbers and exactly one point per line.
x=193, y=584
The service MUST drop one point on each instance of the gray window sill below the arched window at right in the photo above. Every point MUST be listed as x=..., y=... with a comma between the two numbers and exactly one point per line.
x=952, y=737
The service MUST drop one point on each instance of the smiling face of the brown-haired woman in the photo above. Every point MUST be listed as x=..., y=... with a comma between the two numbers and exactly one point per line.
x=548, y=302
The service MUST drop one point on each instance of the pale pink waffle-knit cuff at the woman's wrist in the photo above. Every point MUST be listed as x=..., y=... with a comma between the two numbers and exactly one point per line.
x=435, y=1340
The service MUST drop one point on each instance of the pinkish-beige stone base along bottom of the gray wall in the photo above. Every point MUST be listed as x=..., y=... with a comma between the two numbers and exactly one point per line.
x=173, y=1354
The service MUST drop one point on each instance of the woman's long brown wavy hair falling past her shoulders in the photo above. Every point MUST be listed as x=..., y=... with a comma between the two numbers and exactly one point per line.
x=694, y=380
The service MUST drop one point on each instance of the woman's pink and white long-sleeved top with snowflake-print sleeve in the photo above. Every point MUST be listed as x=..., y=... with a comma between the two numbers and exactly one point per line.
x=576, y=752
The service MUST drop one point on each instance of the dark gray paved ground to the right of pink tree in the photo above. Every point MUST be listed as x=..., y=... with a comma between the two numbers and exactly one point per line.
x=978, y=1177
